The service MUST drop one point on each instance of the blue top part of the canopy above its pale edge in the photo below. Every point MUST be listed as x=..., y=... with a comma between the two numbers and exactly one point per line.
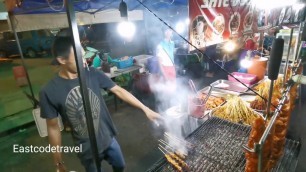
x=56, y=6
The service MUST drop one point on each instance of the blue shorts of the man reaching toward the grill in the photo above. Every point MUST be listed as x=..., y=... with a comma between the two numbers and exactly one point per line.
x=112, y=155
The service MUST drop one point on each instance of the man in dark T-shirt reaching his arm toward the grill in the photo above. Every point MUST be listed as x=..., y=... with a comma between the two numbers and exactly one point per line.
x=62, y=96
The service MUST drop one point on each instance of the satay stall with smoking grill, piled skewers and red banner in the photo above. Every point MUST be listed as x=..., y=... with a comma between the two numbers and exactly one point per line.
x=248, y=131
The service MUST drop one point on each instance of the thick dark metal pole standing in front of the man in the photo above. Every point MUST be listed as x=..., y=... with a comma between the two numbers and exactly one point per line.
x=83, y=85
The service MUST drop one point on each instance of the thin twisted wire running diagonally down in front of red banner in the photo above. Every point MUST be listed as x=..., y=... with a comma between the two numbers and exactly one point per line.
x=204, y=54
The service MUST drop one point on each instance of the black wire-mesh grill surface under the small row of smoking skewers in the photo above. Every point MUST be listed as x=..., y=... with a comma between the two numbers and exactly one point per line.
x=218, y=148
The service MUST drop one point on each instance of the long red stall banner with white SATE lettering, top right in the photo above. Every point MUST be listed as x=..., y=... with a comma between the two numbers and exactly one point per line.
x=215, y=21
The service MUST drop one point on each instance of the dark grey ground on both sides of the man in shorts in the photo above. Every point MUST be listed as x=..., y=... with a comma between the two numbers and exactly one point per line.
x=137, y=138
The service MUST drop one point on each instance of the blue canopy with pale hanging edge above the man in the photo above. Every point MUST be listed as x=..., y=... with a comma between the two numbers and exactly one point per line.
x=50, y=14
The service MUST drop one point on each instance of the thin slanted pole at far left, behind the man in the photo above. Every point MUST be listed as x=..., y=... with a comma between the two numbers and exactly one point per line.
x=22, y=57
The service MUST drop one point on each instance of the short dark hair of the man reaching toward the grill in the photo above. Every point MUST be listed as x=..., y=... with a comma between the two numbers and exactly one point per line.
x=62, y=46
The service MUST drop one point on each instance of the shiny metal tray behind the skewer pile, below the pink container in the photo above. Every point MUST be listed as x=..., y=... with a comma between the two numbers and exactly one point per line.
x=229, y=86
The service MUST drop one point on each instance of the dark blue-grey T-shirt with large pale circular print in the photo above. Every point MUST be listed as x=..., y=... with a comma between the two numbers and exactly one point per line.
x=62, y=96
